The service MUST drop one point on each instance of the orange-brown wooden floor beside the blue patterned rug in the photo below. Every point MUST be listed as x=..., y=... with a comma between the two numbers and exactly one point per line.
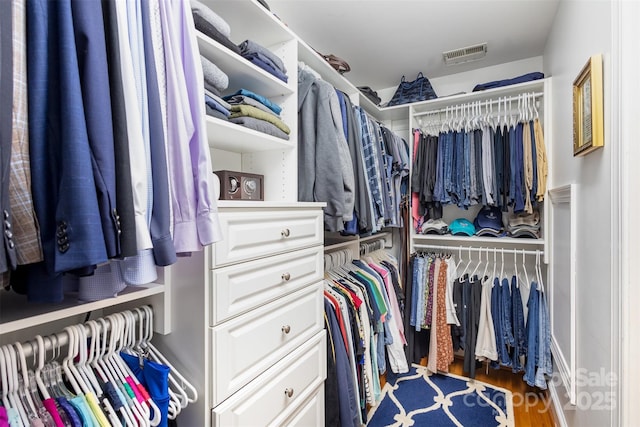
x=531, y=406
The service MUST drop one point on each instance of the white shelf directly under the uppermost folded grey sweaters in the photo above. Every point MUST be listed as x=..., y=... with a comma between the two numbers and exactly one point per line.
x=242, y=73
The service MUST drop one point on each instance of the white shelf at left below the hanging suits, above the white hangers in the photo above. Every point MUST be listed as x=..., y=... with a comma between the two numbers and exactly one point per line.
x=16, y=313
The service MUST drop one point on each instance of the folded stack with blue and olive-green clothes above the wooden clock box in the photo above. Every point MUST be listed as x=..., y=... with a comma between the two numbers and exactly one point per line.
x=257, y=112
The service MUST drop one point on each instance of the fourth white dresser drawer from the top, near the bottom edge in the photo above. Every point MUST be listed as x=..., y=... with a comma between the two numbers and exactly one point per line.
x=277, y=394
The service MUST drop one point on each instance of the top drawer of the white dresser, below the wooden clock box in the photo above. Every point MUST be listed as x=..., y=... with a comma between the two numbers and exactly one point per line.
x=260, y=232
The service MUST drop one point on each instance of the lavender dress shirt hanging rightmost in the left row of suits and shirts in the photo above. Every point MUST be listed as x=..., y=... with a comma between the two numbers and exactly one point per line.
x=195, y=211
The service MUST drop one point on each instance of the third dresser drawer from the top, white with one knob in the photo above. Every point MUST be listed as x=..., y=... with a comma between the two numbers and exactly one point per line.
x=245, y=346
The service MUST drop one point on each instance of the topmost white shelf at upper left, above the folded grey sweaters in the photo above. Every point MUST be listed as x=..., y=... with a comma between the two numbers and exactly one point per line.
x=249, y=20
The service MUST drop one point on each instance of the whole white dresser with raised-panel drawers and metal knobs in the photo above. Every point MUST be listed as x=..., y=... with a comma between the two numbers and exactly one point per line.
x=248, y=322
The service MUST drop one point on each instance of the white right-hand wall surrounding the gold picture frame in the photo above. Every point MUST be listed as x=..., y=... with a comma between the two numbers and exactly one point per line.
x=581, y=29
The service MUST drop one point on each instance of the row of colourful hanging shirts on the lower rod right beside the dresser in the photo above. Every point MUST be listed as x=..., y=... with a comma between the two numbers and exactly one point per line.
x=369, y=326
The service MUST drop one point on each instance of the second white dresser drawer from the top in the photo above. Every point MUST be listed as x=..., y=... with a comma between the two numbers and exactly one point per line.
x=239, y=288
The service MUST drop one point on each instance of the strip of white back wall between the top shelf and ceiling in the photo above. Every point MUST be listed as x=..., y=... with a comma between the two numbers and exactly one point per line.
x=464, y=82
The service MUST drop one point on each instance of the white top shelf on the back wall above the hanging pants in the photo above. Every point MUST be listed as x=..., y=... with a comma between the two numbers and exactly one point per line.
x=505, y=91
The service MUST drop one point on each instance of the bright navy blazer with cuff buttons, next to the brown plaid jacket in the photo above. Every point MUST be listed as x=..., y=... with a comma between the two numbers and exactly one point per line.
x=63, y=185
